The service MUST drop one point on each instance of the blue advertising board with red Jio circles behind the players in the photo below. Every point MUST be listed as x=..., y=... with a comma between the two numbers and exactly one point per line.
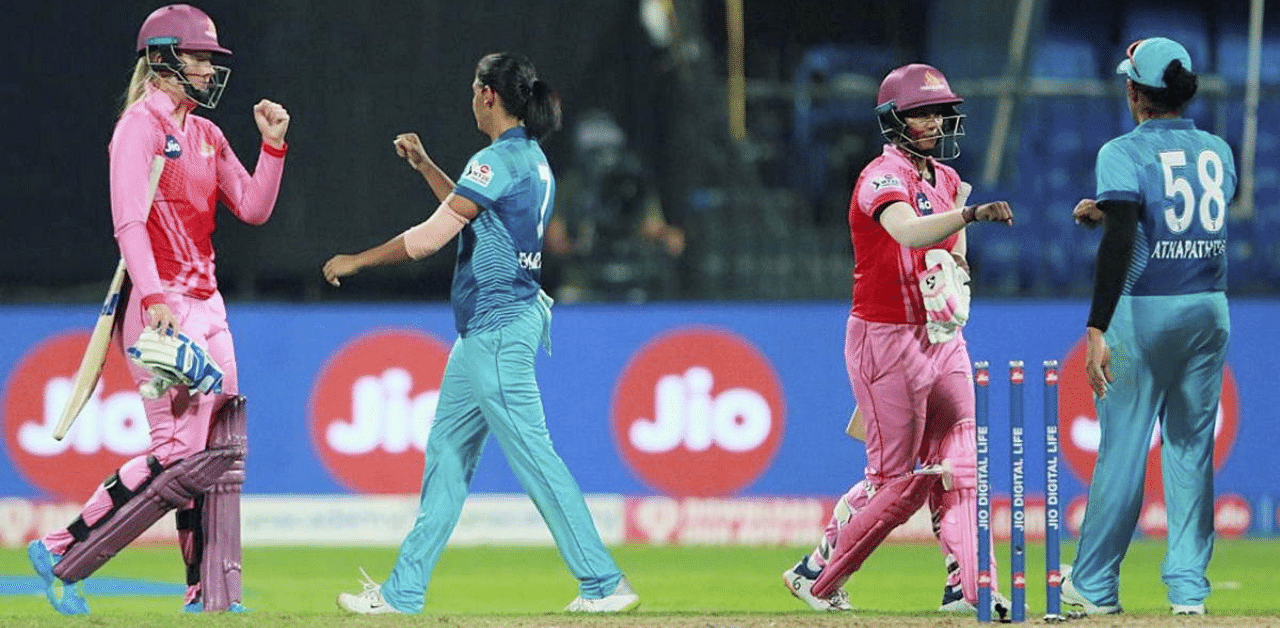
x=680, y=412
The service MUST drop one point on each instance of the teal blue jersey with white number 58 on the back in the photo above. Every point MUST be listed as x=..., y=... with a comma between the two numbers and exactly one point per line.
x=1185, y=180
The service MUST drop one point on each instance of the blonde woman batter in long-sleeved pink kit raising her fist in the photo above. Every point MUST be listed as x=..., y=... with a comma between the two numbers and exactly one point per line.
x=170, y=256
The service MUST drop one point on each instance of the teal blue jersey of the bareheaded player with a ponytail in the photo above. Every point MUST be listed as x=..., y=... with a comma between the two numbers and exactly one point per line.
x=499, y=271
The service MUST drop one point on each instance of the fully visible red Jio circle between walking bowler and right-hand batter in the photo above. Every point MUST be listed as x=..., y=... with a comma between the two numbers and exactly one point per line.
x=698, y=412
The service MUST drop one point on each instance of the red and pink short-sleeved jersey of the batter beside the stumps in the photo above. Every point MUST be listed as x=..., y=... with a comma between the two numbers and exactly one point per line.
x=886, y=273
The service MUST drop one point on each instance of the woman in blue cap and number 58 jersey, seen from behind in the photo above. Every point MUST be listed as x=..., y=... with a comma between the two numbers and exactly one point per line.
x=1158, y=331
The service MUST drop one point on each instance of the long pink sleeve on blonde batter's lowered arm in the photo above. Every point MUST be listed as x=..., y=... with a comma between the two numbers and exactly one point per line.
x=132, y=150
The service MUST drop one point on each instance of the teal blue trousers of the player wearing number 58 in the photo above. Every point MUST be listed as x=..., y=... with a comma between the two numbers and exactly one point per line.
x=1167, y=357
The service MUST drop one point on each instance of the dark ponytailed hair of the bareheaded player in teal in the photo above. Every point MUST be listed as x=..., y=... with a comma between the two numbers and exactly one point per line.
x=523, y=94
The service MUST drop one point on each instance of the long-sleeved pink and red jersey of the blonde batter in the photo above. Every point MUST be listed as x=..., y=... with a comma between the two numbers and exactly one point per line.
x=167, y=247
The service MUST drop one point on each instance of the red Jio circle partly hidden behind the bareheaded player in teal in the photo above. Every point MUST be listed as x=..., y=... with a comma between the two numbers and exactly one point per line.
x=372, y=410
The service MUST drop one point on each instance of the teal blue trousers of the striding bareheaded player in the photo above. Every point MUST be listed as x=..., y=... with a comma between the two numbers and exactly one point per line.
x=490, y=387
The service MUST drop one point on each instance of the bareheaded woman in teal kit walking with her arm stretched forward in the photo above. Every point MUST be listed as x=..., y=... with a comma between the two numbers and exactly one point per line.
x=501, y=207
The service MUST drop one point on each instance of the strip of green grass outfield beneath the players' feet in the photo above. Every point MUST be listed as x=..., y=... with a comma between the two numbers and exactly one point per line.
x=679, y=586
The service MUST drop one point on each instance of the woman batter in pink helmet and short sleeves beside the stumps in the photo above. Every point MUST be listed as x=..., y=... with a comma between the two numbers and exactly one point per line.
x=904, y=350
